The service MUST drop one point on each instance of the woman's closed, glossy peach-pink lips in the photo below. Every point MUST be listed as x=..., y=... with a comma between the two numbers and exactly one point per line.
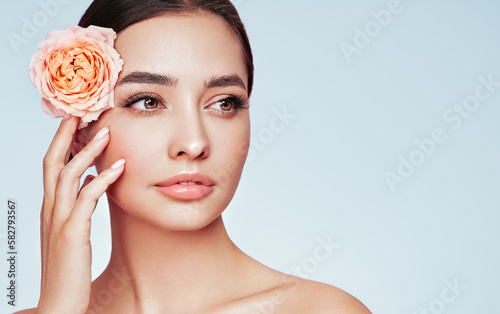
x=172, y=188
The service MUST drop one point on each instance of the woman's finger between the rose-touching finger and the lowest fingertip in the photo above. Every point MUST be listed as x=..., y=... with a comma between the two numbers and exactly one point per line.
x=68, y=181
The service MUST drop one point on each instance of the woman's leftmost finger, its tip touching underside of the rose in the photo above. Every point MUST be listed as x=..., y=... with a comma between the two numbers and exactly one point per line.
x=55, y=158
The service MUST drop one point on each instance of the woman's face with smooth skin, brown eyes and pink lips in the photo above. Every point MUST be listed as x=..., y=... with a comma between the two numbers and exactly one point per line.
x=180, y=108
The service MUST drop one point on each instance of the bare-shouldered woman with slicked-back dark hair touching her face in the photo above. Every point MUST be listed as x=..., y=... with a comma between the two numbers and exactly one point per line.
x=169, y=156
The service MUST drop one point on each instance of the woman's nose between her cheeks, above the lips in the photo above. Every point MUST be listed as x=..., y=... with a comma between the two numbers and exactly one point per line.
x=189, y=137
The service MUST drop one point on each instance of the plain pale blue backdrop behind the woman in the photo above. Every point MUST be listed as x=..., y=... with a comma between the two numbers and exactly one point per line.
x=323, y=174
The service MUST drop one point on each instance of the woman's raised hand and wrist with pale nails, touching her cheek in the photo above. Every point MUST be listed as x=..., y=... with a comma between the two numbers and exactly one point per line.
x=65, y=220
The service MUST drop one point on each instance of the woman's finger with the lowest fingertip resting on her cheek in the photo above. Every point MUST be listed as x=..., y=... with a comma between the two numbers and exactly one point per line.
x=90, y=194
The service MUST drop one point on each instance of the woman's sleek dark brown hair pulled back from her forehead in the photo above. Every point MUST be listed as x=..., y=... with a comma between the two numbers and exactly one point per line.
x=119, y=14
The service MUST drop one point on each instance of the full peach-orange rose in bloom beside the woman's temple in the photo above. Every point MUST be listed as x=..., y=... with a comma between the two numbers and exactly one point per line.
x=76, y=70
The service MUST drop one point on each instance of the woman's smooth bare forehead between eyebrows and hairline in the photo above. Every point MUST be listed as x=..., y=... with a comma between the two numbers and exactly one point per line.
x=181, y=44
